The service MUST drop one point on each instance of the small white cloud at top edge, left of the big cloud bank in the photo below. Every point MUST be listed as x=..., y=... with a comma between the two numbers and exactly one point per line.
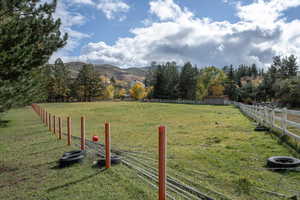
x=113, y=8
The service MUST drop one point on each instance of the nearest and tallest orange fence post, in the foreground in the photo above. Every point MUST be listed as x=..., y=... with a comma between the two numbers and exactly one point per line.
x=162, y=162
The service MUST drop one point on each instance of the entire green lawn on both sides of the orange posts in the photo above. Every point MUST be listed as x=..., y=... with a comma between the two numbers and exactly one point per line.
x=212, y=148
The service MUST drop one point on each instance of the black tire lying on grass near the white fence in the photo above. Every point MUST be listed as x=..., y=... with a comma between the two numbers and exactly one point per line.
x=283, y=162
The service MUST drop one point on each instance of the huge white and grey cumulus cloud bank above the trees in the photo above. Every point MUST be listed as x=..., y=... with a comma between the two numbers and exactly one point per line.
x=178, y=35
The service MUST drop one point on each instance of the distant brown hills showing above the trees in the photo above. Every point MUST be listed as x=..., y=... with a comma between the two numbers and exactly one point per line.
x=128, y=74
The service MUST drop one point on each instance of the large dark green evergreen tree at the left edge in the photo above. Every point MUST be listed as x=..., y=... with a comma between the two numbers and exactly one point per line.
x=29, y=36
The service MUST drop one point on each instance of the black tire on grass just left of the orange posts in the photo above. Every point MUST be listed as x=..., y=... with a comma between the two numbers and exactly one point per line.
x=71, y=157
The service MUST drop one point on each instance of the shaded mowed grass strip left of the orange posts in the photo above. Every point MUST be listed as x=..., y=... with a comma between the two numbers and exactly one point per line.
x=28, y=167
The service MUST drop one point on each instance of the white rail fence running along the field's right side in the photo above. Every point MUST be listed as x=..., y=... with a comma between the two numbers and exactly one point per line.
x=273, y=118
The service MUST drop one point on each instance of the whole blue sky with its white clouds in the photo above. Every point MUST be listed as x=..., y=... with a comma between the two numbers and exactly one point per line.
x=132, y=33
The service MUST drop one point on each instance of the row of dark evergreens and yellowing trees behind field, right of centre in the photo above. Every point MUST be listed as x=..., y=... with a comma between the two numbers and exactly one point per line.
x=244, y=83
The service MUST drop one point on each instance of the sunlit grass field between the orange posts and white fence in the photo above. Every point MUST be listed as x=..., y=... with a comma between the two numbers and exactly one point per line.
x=213, y=148
